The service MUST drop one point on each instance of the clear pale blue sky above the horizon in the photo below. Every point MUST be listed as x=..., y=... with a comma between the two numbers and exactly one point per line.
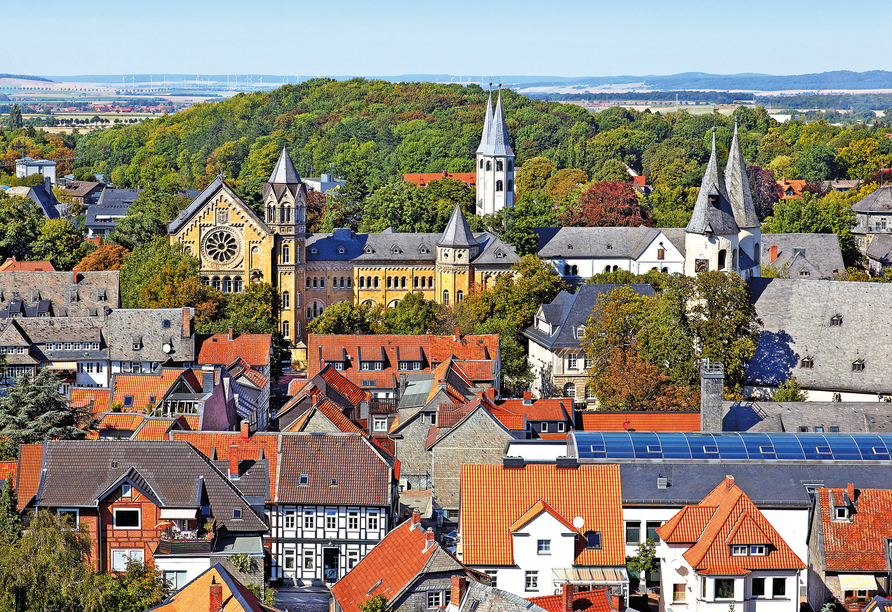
x=526, y=37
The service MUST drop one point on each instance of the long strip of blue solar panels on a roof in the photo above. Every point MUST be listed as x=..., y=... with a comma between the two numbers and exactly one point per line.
x=733, y=446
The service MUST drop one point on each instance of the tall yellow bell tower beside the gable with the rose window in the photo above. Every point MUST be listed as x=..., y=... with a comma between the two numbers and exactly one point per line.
x=285, y=205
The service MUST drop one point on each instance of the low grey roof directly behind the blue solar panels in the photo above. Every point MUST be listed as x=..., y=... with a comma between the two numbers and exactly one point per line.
x=849, y=417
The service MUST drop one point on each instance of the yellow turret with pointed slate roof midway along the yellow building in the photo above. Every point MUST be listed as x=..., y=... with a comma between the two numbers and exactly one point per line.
x=456, y=248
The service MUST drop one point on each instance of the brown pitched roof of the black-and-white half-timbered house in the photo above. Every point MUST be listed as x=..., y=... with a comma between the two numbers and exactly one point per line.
x=361, y=471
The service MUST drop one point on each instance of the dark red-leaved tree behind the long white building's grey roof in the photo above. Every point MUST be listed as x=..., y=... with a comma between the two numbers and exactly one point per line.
x=607, y=205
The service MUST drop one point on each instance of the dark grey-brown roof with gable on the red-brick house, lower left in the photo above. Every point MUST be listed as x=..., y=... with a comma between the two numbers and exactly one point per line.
x=78, y=473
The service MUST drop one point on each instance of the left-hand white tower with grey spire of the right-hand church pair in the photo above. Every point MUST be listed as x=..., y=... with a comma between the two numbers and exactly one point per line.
x=711, y=237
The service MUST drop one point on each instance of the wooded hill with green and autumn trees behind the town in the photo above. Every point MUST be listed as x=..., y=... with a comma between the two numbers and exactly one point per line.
x=378, y=128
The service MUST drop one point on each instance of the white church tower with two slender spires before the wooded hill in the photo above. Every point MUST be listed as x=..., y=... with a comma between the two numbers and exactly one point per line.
x=495, y=163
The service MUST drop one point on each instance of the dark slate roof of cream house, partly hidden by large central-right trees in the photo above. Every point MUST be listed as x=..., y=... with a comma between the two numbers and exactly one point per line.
x=567, y=312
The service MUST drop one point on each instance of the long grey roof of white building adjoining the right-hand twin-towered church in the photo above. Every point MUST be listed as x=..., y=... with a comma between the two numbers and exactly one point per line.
x=608, y=242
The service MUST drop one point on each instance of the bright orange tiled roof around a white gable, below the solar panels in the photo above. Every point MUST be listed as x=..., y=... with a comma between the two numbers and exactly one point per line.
x=488, y=513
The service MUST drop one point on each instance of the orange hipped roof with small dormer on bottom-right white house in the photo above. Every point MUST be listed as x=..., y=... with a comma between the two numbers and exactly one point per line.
x=732, y=519
